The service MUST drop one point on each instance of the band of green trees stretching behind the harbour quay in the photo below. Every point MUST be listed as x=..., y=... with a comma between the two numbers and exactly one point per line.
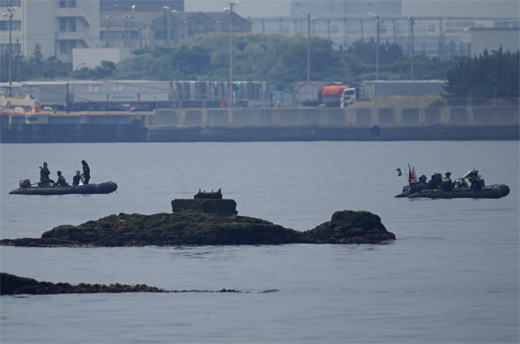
x=282, y=61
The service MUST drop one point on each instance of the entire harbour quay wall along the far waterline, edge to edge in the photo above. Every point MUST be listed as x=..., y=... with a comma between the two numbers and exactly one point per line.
x=298, y=124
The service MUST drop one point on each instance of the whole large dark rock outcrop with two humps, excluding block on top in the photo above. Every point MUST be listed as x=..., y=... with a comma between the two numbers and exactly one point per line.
x=199, y=228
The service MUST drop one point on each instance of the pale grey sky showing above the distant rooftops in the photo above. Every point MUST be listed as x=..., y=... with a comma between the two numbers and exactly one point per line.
x=458, y=8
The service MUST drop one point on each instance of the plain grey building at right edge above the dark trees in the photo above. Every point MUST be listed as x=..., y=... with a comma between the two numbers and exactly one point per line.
x=493, y=39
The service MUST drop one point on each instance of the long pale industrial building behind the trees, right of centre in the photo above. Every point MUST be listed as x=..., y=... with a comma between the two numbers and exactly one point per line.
x=441, y=37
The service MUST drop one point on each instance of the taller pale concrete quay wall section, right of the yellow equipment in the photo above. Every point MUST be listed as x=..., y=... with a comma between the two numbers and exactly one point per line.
x=362, y=124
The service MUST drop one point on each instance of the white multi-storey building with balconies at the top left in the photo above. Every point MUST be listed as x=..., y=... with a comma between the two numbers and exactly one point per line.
x=58, y=26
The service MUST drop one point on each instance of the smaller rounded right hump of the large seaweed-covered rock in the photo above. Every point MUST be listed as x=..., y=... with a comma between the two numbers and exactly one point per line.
x=349, y=227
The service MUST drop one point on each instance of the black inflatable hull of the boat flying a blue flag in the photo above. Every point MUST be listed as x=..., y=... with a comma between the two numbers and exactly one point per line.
x=491, y=191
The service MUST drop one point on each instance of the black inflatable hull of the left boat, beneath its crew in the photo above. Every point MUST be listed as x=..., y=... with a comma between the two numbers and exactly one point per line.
x=102, y=188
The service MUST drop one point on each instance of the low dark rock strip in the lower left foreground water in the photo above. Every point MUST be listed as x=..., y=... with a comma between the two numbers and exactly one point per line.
x=14, y=285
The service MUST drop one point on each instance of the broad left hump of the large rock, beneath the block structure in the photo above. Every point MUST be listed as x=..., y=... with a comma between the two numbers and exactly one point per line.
x=182, y=228
